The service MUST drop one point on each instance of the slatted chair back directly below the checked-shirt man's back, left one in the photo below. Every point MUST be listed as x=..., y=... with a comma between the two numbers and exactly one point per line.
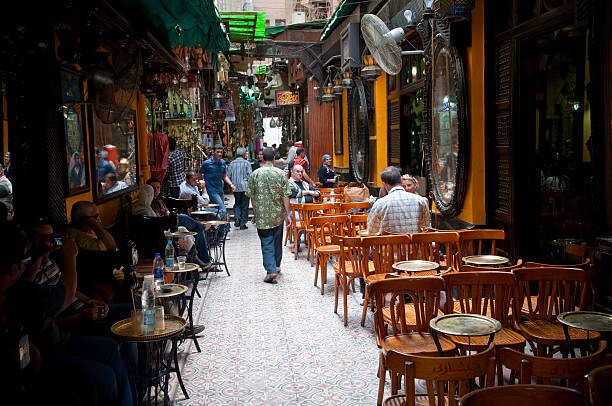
x=385, y=250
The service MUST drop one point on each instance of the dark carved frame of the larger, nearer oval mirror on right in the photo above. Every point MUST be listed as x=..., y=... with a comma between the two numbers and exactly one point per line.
x=440, y=38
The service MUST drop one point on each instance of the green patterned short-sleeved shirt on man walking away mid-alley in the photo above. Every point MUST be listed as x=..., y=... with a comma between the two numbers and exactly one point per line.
x=268, y=186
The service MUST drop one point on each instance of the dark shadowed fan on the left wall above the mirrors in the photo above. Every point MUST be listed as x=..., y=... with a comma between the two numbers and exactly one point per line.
x=116, y=83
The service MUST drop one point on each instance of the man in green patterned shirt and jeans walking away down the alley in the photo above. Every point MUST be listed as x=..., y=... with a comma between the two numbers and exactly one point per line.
x=269, y=191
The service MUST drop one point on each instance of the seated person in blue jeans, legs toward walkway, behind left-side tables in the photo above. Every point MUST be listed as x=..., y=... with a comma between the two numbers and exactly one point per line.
x=156, y=207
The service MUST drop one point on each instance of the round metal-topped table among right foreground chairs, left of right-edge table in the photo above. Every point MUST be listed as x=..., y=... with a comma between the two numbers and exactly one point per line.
x=463, y=324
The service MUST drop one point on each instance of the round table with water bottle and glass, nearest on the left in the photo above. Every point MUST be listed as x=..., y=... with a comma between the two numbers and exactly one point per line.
x=157, y=366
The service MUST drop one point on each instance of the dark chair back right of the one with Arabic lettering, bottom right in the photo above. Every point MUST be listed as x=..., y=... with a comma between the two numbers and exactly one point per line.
x=569, y=372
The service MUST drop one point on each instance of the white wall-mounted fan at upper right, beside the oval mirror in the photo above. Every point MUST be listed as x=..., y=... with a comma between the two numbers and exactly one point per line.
x=383, y=43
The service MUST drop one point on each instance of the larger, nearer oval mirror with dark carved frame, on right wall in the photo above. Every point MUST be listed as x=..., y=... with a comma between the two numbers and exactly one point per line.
x=446, y=139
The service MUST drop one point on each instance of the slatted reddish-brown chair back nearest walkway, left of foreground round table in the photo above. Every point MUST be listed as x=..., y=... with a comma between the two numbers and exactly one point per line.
x=424, y=291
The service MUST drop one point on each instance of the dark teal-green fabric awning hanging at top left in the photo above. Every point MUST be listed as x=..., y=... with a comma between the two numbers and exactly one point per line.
x=182, y=23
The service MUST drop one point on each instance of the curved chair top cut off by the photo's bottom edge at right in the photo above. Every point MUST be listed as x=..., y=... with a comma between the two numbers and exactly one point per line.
x=524, y=395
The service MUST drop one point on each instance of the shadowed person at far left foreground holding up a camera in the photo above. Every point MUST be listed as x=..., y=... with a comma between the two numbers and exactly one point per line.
x=62, y=353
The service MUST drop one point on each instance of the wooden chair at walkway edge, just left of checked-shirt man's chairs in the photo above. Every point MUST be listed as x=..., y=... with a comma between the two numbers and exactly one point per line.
x=348, y=268
